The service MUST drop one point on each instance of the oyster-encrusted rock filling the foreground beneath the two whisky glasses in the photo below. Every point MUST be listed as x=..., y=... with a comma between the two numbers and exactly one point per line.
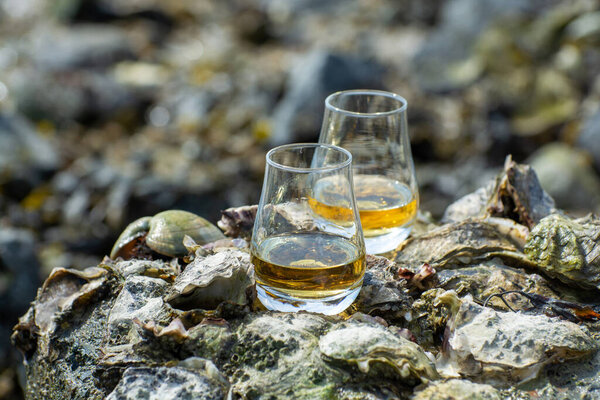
x=461, y=325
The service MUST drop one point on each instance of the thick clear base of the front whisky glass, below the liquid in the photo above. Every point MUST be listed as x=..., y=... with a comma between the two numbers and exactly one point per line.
x=276, y=300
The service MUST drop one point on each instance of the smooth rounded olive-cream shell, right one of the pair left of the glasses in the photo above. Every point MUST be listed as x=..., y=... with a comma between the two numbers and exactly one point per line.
x=168, y=228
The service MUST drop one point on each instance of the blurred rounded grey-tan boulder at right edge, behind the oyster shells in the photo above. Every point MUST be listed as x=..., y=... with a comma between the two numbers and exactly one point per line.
x=568, y=176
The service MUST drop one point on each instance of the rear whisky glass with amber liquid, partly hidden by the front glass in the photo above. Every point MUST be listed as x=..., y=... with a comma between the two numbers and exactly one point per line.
x=372, y=125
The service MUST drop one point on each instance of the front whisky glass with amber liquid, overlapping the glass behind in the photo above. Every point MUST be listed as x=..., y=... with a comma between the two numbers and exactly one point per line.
x=304, y=261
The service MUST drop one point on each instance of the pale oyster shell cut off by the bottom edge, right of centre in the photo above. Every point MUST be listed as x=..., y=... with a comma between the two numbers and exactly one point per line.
x=458, y=389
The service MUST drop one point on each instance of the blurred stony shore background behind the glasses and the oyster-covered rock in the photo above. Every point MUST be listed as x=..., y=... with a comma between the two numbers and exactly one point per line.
x=115, y=109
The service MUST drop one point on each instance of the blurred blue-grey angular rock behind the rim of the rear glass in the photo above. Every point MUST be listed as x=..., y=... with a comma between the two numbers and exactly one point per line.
x=297, y=117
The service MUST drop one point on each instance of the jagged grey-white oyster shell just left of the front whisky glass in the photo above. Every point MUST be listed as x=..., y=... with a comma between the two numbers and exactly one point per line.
x=211, y=280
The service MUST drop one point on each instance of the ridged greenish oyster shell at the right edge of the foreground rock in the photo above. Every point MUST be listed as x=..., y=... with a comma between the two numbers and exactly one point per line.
x=567, y=249
